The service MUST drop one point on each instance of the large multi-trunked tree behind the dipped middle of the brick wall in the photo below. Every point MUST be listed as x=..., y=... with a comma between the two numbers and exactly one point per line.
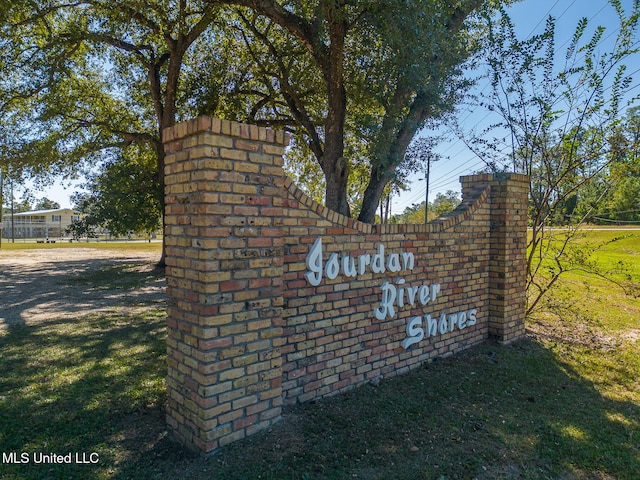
x=366, y=72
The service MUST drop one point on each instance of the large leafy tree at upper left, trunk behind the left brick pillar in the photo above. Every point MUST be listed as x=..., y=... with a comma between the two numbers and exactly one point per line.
x=85, y=77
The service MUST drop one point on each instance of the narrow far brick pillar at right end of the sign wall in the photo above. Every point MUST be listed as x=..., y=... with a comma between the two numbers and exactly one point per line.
x=507, y=266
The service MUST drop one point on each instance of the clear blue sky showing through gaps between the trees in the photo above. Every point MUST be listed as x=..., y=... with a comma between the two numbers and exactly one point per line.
x=529, y=17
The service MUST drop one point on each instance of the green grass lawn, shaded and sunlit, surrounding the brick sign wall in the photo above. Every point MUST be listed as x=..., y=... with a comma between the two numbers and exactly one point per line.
x=562, y=404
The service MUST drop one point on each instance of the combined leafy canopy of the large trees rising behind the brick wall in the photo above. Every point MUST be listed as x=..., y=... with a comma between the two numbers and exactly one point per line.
x=352, y=80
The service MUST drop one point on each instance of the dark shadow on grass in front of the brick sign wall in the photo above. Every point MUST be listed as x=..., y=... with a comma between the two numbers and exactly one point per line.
x=491, y=413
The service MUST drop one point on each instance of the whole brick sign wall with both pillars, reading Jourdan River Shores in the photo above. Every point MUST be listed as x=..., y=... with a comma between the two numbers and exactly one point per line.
x=248, y=332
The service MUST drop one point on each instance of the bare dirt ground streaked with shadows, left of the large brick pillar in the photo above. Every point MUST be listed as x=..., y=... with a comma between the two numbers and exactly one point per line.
x=36, y=285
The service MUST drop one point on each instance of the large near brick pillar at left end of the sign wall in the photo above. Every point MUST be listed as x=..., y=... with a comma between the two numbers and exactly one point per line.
x=224, y=280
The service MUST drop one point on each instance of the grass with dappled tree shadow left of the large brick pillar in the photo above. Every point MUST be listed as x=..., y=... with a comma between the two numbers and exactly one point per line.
x=89, y=386
